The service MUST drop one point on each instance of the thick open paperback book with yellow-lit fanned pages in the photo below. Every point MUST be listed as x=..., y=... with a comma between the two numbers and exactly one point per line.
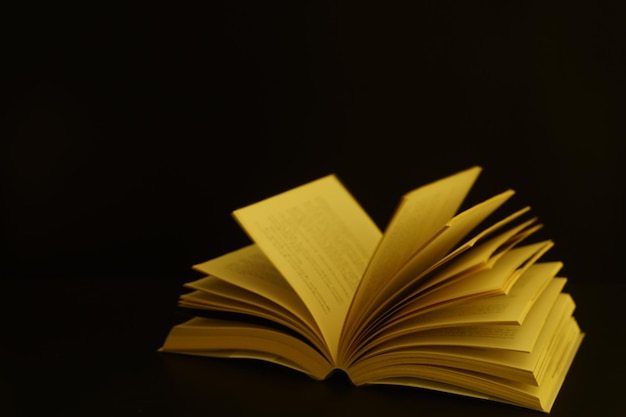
x=438, y=301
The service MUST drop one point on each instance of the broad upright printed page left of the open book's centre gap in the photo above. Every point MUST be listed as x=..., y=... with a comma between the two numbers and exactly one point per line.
x=321, y=240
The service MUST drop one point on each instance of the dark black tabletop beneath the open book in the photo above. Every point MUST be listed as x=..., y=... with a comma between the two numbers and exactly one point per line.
x=89, y=348
